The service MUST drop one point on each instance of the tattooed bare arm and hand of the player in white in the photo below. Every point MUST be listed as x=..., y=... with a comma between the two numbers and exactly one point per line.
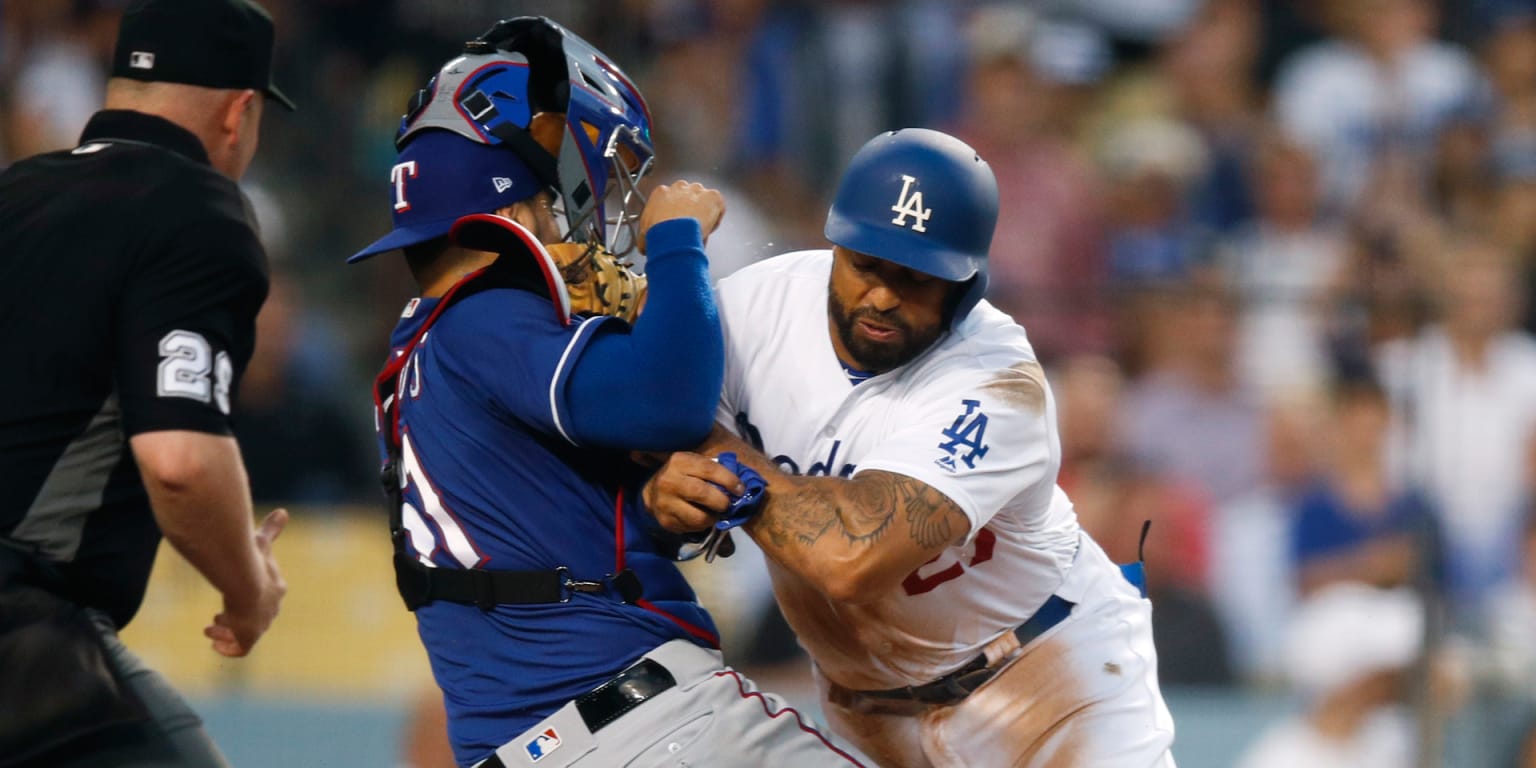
x=853, y=540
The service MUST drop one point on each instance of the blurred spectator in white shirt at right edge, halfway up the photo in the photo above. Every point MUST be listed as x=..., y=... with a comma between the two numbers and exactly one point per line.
x=1466, y=409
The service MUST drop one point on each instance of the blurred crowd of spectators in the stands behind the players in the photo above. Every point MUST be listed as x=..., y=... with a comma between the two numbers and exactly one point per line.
x=1277, y=257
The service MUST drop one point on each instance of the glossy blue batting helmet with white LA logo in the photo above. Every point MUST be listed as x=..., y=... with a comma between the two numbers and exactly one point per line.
x=924, y=200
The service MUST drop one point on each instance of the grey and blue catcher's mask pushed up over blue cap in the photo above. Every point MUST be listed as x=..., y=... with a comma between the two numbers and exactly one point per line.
x=531, y=65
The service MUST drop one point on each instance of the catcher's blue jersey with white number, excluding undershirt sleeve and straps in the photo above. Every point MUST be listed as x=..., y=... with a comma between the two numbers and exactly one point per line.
x=494, y=480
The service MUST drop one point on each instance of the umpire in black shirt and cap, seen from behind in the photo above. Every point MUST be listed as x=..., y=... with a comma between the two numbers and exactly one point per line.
x=130, y=283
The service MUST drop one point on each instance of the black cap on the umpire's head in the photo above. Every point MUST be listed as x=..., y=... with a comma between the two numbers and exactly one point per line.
x=213, y=44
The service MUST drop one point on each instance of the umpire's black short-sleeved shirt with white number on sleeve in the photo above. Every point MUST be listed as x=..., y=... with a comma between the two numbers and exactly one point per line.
x=130, y=283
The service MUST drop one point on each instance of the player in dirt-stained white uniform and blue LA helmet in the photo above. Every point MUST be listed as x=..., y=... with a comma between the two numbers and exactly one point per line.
x=919, y=546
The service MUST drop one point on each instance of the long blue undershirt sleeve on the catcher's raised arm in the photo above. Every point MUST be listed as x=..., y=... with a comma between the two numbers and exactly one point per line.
x=655, y=386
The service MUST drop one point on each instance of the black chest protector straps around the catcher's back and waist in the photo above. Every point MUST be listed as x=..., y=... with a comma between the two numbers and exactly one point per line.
x=420, y=584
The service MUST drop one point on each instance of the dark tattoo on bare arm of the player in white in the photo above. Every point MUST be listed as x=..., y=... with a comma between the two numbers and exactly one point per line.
x=862, y=511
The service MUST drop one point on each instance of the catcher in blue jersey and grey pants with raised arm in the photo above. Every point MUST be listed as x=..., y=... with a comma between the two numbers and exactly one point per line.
x=558, y=627
